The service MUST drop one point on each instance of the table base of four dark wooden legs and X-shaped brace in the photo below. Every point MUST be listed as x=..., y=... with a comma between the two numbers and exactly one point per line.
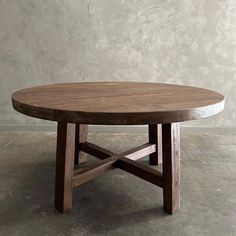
x=163, y=145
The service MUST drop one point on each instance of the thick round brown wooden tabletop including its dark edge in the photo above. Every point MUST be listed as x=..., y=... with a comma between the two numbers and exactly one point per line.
x=119, y=103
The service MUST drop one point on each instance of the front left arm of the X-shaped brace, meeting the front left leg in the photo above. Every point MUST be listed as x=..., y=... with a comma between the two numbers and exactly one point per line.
x=94, y=171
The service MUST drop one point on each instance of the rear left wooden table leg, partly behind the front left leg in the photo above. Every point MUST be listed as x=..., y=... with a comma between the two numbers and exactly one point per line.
x=80, y=137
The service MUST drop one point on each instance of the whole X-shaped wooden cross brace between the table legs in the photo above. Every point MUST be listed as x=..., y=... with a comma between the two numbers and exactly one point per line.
x=124, y=161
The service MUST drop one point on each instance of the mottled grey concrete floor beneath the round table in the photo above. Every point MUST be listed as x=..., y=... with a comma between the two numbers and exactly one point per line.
x=117, y=203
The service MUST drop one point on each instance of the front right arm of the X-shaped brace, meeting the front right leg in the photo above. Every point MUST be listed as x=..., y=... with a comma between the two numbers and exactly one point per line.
x=142, y=171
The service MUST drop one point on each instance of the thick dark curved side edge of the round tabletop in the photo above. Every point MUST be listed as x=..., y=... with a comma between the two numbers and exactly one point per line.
x=119, y=118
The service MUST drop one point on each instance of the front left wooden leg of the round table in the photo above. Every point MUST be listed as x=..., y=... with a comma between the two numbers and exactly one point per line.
x=64, y=166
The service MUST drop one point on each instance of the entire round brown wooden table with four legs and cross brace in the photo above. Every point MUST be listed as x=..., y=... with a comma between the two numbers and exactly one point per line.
x=160, y=106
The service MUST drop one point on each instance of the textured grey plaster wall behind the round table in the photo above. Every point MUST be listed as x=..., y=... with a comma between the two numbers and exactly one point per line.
x=177, y=41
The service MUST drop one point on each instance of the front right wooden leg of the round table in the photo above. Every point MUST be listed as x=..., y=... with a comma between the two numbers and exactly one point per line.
x=171, y=167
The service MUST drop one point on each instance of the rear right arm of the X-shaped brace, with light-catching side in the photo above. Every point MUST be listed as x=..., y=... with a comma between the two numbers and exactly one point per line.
x=140, y=151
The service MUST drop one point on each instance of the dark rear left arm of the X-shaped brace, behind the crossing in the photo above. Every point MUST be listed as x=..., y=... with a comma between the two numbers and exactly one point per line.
x=95, y=150
